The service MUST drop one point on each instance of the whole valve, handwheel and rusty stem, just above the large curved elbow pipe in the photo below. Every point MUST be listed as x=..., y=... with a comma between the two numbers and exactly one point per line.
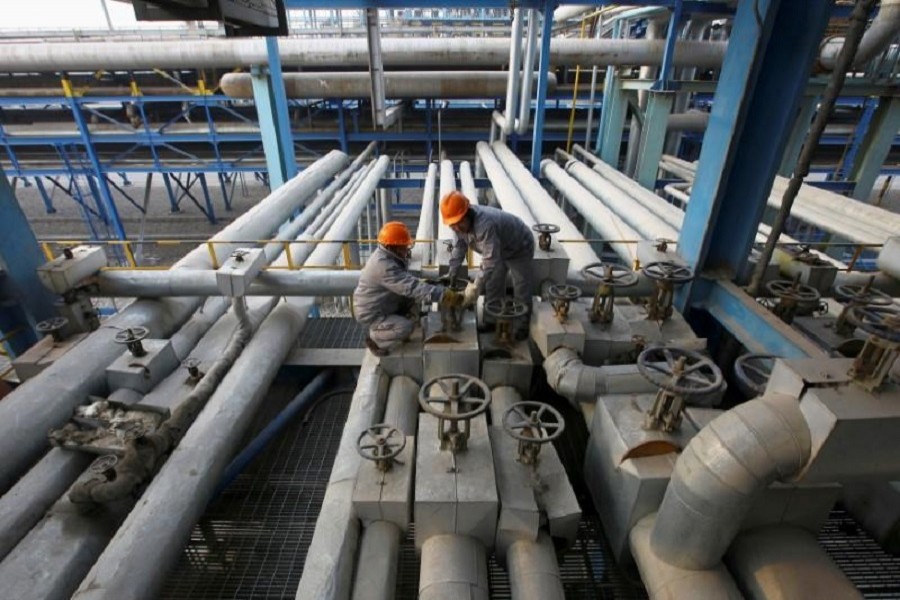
x=679, y=374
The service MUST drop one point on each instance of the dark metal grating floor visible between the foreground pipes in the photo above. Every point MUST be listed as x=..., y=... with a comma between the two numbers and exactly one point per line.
x=252, y=541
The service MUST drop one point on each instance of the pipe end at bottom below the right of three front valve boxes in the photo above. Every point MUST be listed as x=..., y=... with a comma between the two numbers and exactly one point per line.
x=533, y=570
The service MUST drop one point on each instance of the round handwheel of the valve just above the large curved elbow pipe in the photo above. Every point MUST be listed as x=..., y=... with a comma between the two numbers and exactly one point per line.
x=679, y=371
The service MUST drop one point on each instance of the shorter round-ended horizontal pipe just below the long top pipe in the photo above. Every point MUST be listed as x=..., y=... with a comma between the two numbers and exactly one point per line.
x=398, y=84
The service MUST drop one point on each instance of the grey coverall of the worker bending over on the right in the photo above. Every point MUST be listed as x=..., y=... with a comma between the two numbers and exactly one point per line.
x=505, y=244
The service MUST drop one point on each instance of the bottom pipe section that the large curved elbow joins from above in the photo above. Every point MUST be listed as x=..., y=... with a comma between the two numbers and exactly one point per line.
x=666, y=581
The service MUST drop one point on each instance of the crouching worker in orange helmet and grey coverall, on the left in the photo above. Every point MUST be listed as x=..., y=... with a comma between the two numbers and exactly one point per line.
x=387, y=298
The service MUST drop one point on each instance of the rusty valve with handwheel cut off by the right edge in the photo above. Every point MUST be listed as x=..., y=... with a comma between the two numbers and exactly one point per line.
x=873, y=363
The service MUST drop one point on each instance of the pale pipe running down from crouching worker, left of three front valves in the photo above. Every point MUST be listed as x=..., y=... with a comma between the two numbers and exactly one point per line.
x=328, y=569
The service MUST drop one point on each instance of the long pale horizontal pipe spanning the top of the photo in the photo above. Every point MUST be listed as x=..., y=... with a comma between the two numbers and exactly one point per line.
x=319, y=53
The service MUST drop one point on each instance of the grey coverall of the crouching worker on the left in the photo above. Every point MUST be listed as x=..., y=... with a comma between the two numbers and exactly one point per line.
x=386, y=293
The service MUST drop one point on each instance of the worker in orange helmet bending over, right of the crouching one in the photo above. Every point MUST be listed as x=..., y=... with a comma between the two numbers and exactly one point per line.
x=505, y=243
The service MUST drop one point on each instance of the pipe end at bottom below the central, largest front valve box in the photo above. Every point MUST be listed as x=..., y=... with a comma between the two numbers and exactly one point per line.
x=453, y=567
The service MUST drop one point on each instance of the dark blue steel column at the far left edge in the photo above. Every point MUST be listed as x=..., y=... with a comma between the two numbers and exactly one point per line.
x=24, y=301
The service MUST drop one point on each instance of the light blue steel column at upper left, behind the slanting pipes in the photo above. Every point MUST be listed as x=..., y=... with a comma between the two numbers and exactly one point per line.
x=274, y=119
